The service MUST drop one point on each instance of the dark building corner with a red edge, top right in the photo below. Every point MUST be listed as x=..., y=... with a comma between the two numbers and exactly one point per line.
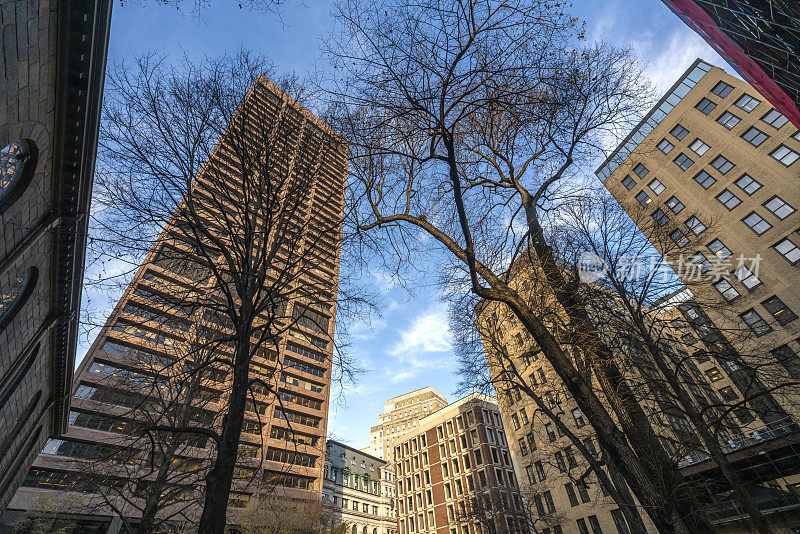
x=759, y=38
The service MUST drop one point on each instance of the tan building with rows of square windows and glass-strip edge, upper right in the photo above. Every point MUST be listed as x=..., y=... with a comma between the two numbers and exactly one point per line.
x=718, y=166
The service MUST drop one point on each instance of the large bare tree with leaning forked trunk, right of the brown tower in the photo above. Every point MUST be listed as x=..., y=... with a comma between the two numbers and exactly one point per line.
x=467, y=121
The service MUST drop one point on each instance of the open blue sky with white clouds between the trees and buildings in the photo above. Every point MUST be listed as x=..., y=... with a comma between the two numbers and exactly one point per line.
x=409, y=345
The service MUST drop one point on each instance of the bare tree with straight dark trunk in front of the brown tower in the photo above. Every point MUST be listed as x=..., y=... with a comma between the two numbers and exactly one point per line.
x=212, y=173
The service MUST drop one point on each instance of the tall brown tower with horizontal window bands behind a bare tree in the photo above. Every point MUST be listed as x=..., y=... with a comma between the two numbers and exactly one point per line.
x=162, y=360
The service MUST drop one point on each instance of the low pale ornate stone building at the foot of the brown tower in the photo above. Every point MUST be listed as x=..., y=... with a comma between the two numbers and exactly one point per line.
x=358, y=491
